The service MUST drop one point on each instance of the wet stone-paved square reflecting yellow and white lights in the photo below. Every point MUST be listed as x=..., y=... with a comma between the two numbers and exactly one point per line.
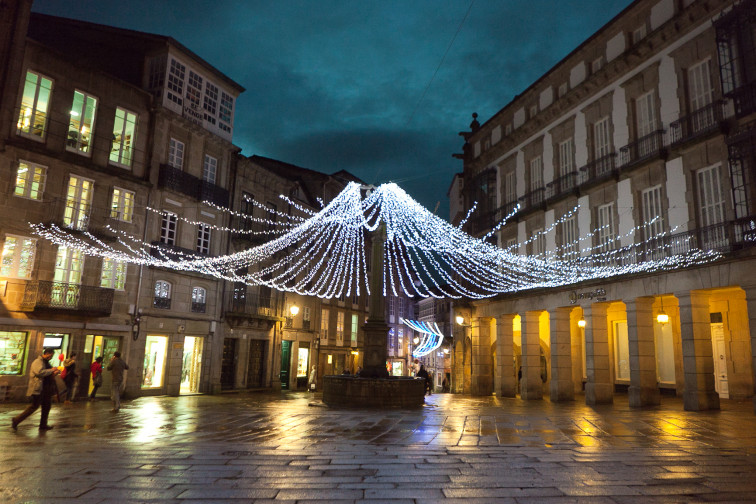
x=288, y=447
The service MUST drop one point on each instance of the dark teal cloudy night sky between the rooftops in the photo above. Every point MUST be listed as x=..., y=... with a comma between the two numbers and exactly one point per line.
x=377, y=88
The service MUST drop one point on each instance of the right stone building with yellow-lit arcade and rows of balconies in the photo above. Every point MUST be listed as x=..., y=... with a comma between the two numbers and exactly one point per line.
x=643, y=135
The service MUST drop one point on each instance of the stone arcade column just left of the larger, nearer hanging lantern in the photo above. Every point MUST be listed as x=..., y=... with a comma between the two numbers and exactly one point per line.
x=644, y=390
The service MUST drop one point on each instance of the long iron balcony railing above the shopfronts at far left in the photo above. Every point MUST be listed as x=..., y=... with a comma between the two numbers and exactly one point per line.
x=45, y=294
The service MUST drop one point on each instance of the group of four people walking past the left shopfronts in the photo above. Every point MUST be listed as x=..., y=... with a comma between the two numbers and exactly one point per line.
x=42, y=386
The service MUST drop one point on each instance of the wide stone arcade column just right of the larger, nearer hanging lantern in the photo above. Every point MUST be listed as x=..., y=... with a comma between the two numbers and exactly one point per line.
x=698, y=356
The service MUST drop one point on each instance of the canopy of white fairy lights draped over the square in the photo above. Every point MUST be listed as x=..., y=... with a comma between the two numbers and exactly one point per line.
x=323, y=253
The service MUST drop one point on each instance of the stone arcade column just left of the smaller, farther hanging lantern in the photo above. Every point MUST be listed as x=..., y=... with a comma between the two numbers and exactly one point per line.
x=562, y=388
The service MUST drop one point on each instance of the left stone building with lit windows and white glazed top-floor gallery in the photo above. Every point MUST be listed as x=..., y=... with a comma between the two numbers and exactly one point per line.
x=131, y=140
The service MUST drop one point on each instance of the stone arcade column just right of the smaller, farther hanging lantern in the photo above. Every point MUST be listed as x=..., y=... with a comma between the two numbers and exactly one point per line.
x=599, y=388
